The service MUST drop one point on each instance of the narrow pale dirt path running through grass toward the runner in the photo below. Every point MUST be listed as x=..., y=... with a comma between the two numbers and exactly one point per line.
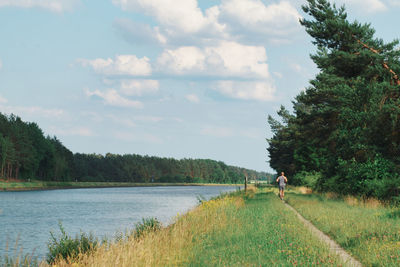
x=349, y=260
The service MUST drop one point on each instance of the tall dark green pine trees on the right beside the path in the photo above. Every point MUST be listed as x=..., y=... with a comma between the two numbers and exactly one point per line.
x=344, y=132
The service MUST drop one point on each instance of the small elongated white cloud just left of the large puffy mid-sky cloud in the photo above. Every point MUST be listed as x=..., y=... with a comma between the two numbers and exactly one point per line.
x=121, y=65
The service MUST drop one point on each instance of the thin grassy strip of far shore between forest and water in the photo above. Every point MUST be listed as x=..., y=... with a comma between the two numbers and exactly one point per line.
x=16, y=186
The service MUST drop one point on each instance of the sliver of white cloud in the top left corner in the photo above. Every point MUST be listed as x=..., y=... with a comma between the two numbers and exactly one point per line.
x=52, y=5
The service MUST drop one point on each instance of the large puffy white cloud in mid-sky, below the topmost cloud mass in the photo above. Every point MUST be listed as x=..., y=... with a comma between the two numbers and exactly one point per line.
x=225, y=59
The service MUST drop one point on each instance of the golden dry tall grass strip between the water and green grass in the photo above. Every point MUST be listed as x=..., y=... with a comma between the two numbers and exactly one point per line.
x=170, y=246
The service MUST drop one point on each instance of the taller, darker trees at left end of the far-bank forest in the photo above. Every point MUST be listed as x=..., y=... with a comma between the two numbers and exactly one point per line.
x=25, y=153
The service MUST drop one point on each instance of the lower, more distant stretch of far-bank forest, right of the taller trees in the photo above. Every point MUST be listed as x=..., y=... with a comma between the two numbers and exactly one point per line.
x=136, y=168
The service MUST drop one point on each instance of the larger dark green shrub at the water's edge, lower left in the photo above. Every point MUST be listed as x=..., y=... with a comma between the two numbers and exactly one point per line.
x=67, y=247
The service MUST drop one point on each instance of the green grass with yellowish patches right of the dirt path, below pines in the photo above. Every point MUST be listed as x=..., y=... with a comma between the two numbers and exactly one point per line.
x=368, y=230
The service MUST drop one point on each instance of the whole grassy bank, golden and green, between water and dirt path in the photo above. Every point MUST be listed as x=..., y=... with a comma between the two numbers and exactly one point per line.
x=253, y=229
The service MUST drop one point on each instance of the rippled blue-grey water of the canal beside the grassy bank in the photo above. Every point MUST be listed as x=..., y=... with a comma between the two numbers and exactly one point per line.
x=30, y=216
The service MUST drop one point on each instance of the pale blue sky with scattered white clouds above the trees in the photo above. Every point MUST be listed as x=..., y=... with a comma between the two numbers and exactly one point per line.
x=169, y=78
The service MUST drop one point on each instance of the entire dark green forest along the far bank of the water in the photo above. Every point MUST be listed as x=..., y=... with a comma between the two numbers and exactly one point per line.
x=25, y=153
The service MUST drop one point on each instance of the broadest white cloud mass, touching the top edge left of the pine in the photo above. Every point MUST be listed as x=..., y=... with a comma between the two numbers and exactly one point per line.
x=183, y=22
